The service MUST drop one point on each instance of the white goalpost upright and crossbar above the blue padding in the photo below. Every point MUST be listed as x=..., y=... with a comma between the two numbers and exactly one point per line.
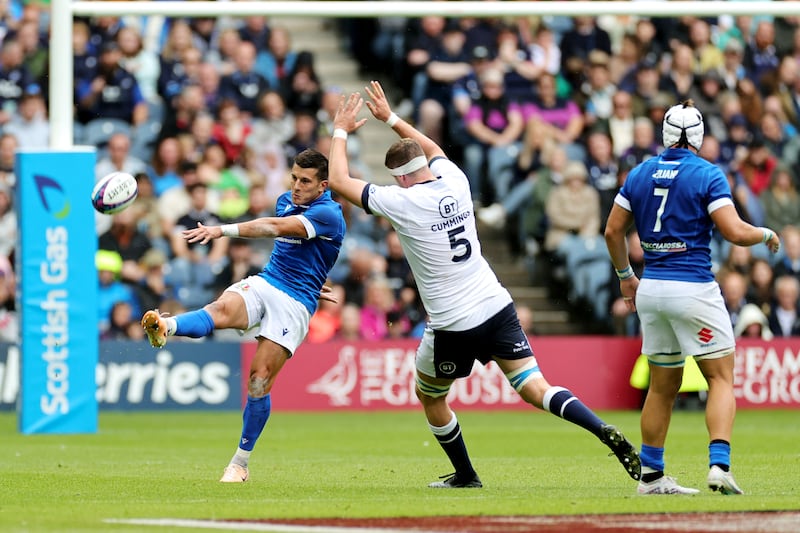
x=62, y=12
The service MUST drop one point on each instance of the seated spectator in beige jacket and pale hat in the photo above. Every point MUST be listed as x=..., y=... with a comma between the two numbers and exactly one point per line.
x=573, y=208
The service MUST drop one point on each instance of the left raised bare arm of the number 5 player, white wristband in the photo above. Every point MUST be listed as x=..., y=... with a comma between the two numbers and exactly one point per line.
x=344, y=122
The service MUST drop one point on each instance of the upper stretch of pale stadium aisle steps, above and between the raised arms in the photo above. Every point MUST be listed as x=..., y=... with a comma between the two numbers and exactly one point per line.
x=336, y=68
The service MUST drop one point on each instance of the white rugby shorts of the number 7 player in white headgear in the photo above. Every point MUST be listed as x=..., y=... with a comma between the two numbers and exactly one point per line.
x=682, y=319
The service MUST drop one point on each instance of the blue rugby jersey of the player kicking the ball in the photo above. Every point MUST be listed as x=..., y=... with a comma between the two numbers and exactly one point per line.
x=299, y=267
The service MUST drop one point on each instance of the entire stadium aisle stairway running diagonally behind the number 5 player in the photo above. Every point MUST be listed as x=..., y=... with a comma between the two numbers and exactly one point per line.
x=336, y=68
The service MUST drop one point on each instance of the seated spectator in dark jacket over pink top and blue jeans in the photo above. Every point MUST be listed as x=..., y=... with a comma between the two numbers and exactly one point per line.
x=494, y=124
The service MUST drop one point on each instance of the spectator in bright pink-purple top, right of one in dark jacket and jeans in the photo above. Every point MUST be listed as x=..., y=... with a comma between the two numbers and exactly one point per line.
x=560, y=118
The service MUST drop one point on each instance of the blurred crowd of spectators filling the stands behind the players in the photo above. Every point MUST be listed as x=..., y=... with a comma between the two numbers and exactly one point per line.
x=545, y=114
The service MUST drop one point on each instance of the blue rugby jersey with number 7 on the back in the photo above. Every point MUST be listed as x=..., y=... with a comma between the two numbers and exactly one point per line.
x=671, y=197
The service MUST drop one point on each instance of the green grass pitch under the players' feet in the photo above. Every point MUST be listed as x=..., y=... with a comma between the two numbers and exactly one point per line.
x=153, y=465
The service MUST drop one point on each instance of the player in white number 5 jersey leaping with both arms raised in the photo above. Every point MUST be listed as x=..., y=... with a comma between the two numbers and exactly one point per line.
x=471, y=315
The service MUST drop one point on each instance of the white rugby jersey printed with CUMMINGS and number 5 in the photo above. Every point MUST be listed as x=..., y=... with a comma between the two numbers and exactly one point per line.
x=436, y=225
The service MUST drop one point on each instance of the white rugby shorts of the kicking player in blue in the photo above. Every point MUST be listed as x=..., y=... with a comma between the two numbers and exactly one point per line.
x=279, y=317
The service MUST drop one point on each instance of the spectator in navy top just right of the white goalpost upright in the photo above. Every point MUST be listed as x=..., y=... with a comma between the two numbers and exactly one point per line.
x=113, y=93
